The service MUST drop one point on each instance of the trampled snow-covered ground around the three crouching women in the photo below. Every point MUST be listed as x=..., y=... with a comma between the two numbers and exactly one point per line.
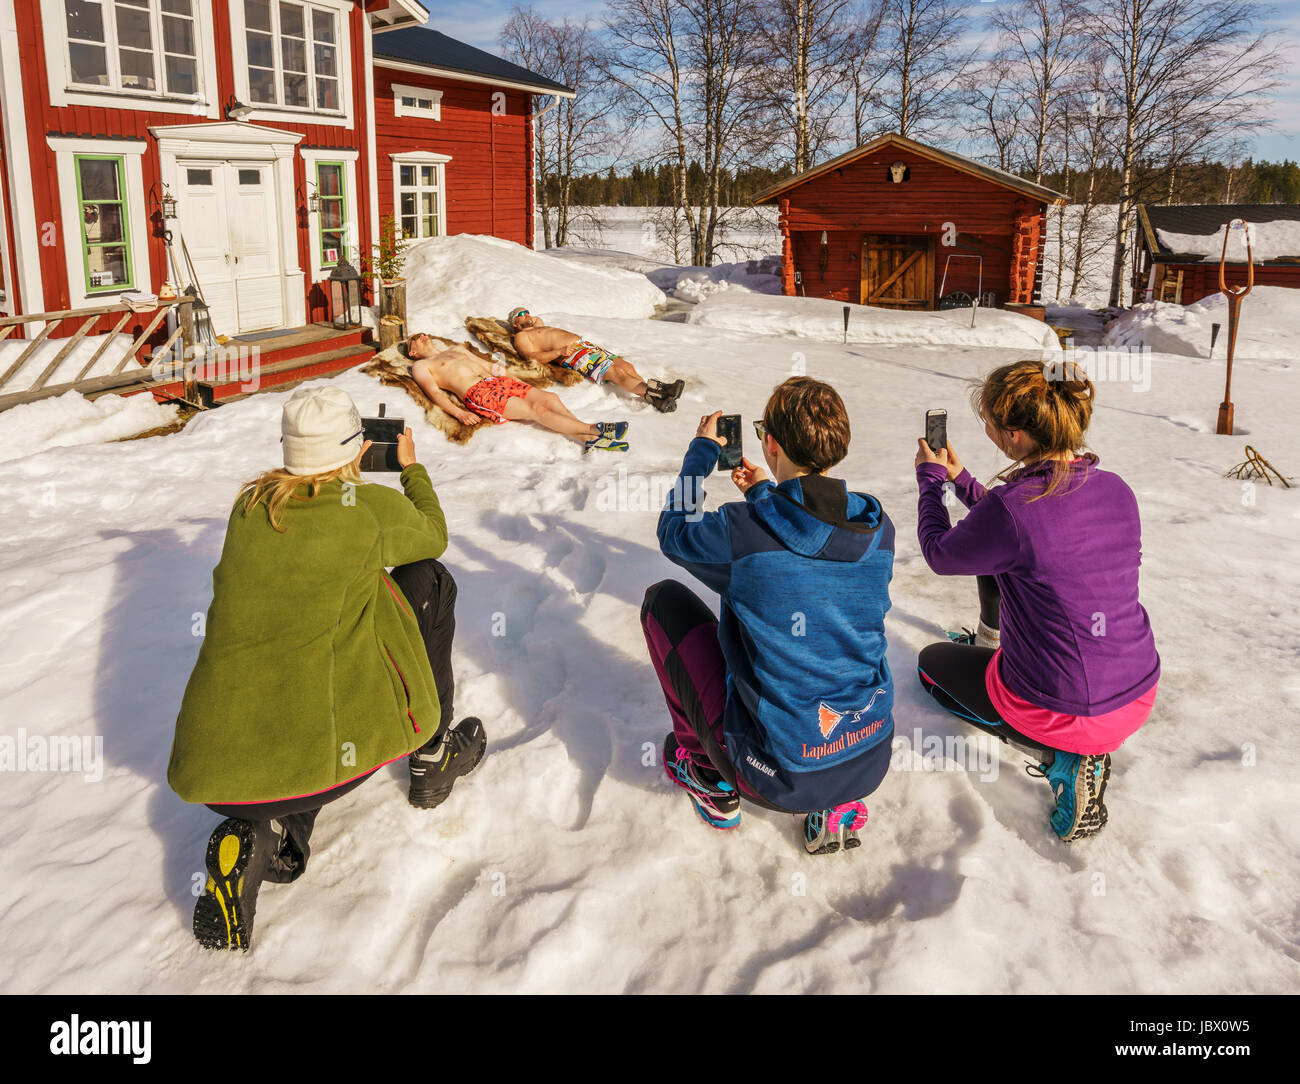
x=567, y=862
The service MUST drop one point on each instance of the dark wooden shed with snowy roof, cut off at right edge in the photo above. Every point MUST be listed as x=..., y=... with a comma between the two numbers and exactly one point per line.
x=1180, y=249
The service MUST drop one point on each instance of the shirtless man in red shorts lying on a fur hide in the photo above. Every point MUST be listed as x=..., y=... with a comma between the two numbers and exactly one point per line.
x=499, y=398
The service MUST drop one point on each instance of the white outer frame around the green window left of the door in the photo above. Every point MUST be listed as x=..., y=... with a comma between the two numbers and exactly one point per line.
x=132, y=153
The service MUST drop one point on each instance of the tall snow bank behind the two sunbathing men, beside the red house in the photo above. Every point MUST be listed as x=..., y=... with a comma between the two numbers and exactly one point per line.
x=453, y=277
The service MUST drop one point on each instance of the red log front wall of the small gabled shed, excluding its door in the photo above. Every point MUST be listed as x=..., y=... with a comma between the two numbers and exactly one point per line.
x=860, y=200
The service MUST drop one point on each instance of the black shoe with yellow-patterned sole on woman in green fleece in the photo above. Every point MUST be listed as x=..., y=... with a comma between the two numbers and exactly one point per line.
x=237, y=860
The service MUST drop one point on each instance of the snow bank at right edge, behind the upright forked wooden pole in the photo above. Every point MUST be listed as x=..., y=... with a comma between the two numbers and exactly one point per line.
x=1271, y=326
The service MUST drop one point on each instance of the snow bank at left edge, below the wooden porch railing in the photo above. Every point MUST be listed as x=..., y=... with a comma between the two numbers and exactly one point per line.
x=72, y=419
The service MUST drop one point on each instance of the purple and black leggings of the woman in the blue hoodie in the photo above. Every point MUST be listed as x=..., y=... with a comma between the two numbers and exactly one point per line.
x=682, y=635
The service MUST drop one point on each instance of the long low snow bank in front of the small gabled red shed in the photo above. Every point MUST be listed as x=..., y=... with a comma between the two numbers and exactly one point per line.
x=822, y=319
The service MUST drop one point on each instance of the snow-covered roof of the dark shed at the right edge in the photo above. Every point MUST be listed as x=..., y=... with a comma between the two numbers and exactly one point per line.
x=1194, y=233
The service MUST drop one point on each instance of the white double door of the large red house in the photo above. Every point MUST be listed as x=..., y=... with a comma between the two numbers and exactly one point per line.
x=231, y=227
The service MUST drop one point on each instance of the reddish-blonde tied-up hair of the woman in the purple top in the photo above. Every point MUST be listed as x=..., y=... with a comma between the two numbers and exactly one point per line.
x=1055, y=413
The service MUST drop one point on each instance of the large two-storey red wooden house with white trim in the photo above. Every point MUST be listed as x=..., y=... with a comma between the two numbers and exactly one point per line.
x=284, y=131
